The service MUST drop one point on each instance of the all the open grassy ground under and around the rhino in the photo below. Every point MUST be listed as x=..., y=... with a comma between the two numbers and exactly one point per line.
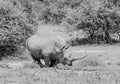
x=100, y=66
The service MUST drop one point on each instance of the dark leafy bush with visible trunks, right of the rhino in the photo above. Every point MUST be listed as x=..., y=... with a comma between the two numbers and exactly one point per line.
x=100, y=24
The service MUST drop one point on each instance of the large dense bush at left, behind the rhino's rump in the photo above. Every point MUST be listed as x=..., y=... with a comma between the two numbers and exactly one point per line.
x=14, y=29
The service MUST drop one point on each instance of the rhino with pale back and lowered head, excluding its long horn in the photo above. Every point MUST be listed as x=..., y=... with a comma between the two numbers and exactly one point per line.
x=51, y=50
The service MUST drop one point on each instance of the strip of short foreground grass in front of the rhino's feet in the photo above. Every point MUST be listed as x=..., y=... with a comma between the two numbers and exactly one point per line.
x=50, y=76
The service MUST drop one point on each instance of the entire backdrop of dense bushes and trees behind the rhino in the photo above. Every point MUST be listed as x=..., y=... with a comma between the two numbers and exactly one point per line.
x=99, y=19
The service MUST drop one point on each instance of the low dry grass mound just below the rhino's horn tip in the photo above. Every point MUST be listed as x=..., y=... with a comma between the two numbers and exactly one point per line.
x=90, y=62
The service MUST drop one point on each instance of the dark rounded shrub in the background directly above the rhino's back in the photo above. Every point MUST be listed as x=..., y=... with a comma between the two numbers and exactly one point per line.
x=53, y=15
